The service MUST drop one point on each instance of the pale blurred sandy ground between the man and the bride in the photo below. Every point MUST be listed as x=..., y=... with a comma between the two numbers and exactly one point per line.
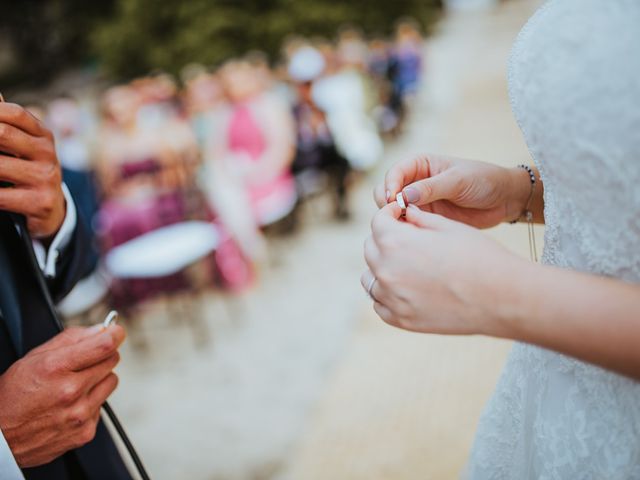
x=299, y=380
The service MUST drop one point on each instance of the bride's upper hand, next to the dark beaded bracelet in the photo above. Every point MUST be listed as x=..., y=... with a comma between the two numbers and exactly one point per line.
x=468, y=191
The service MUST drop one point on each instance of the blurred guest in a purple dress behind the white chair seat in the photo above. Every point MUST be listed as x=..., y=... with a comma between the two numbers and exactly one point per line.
x=139, y=195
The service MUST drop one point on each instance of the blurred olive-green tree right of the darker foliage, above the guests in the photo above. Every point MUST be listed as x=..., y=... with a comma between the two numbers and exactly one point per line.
x=143, y=35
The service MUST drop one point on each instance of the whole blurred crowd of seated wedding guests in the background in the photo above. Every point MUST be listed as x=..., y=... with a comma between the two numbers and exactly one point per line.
x=241, y=145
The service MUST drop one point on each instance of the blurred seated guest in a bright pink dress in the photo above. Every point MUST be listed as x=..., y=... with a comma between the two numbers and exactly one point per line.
x=249, y=162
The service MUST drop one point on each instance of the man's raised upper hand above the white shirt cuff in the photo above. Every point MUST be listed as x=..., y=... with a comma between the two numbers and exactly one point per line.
x=35, y=173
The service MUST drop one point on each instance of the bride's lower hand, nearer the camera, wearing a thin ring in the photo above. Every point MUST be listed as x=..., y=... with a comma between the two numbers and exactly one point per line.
x=435, y=275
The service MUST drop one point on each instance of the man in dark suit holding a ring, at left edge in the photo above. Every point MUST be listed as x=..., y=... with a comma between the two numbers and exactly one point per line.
x=52, y=384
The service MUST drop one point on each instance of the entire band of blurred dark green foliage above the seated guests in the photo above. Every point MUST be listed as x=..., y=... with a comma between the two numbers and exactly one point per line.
x=133, y=37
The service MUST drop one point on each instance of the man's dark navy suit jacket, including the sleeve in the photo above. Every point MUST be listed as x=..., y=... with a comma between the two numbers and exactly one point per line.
x=27, y=321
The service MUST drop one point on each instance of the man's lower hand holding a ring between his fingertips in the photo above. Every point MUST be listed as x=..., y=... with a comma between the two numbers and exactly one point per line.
x=50, y=399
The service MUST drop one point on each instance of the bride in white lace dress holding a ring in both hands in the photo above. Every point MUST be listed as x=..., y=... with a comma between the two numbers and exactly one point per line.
x=575, y=90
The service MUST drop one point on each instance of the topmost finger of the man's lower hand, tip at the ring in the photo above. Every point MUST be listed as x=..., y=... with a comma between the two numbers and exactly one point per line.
x=94, y=349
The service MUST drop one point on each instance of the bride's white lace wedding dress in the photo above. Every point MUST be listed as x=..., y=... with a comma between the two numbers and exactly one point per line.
x=575, y=91
